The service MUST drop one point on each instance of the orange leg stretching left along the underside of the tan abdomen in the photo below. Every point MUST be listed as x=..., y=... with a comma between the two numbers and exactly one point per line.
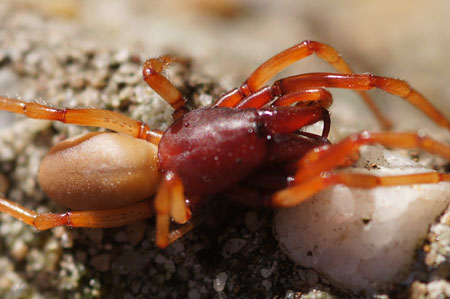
x=91, y=219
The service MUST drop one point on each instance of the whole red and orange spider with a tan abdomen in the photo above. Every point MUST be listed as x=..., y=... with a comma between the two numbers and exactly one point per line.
x=249, y=140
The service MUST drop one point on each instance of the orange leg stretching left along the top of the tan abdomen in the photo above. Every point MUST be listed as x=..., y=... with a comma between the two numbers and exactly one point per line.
x=84, y=117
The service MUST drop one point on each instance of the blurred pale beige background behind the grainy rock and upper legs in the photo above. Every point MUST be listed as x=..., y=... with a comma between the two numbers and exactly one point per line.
x=227, y=39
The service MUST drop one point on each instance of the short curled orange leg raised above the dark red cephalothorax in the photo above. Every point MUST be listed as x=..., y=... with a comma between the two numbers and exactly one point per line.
x=152, y=75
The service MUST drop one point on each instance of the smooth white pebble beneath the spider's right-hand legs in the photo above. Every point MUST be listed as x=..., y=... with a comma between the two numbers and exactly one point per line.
x=361, y=238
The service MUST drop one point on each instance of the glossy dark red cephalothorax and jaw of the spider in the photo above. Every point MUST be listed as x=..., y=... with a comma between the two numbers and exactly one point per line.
x=212, y=149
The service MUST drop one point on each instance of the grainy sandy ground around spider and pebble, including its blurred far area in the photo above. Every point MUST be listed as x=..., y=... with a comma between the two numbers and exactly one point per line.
x=86, y=54
